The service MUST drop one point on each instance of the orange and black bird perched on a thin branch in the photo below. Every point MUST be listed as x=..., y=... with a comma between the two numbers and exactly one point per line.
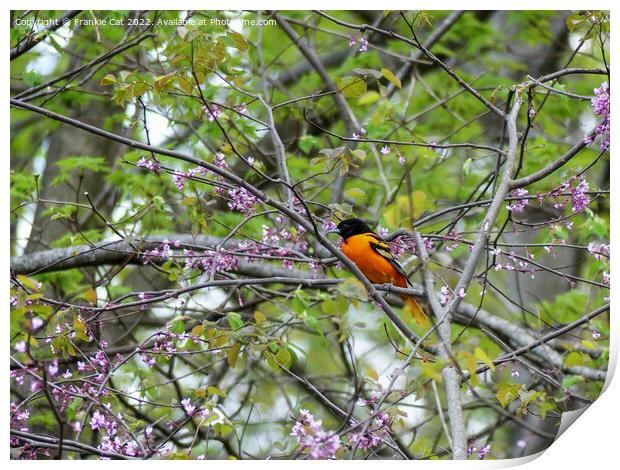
x=373, y=257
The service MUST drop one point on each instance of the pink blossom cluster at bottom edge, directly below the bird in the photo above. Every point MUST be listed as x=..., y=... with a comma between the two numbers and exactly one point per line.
x=312, y=439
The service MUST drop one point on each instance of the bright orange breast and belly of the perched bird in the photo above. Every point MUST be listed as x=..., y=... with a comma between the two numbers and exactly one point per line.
x=375, y=267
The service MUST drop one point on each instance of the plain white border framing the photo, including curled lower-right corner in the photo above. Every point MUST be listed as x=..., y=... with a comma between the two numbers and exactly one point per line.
x=590, y=443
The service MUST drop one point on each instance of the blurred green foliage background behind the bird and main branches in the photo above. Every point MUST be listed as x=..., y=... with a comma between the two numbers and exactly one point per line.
x=256, y=351
